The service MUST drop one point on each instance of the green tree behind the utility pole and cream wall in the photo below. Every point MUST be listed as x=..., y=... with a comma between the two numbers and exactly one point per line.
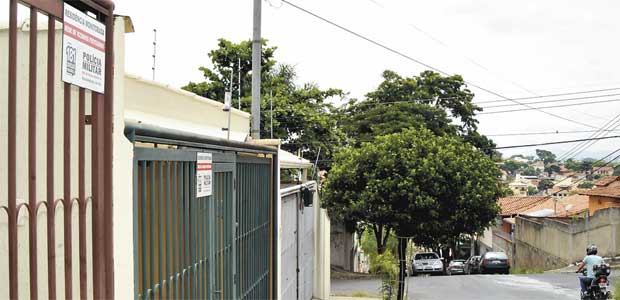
x=302, y=117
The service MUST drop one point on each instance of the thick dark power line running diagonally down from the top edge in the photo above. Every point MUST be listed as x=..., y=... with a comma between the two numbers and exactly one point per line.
x=372, y=41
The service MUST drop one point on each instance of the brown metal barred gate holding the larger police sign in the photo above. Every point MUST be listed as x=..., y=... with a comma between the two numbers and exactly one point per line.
x=57, y=232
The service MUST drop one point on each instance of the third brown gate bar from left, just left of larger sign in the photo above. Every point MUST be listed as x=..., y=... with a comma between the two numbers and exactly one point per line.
x=51, y=209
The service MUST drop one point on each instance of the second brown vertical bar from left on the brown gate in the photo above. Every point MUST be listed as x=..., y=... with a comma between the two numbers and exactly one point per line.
x=32, y=153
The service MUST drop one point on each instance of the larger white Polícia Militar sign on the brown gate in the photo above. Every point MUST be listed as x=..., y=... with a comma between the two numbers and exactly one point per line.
x=83, y=50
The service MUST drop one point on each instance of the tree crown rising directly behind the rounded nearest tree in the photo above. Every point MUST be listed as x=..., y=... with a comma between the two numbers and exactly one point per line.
x=442, y=104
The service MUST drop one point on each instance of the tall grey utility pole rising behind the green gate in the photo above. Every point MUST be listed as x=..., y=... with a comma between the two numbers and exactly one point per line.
x=256, y=70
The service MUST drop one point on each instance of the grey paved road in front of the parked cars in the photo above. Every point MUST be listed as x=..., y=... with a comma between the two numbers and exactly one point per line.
x=481, y=287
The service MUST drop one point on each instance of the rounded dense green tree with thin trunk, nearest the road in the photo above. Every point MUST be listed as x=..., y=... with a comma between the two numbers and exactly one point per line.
x=396, y=183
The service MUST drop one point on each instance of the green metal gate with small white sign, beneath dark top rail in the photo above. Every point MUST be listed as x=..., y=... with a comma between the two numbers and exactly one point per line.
x=214, y=247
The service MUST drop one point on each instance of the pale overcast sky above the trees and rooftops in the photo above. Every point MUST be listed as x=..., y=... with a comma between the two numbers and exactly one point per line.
x=514, y=48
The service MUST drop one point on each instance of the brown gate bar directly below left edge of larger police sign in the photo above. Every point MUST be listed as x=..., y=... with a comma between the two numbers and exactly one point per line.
x=67, y=192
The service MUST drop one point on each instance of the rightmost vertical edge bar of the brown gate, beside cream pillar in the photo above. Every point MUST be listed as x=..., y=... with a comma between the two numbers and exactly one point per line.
x=108, y=149
